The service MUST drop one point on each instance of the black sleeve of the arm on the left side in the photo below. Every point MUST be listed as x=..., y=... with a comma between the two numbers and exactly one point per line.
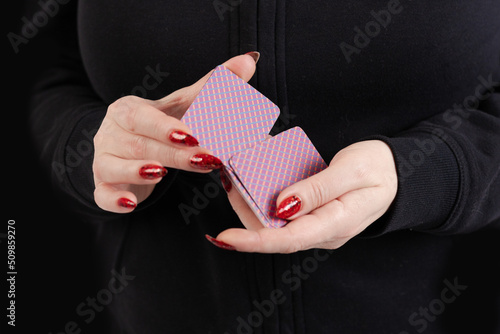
x=65, y=114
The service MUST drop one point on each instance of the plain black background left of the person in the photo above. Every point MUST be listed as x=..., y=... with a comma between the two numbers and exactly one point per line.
x=53, y=261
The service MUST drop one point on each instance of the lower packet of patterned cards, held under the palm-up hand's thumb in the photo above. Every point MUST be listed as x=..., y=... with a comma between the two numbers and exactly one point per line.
x=271, y=166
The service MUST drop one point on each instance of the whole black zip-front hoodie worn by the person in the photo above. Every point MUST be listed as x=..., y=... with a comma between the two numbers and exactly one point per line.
x=421, y=76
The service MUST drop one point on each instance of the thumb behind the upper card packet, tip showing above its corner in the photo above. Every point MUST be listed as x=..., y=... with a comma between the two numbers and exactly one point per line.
x=178, y=102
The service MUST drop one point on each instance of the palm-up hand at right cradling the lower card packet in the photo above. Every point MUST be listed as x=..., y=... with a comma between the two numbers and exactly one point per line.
x=335, y=205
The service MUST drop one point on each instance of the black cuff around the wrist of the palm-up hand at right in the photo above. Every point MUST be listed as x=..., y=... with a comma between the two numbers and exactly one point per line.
x=428, y=182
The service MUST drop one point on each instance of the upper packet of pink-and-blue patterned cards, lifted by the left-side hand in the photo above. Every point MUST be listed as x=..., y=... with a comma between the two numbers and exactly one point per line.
x=229, y=115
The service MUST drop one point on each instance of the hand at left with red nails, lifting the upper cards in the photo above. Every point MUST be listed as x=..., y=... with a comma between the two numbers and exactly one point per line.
x=134, y=143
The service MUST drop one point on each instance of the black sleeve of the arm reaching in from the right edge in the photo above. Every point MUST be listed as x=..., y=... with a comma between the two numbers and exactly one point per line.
x=449, y=168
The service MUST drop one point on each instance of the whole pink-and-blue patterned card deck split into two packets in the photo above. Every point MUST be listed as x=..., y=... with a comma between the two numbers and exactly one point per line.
x=233, y=119
